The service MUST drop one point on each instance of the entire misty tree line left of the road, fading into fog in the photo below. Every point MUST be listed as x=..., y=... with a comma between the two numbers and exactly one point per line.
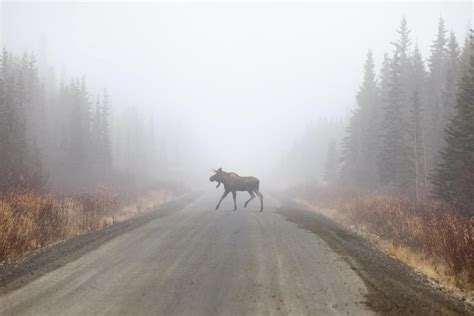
x=58, y=136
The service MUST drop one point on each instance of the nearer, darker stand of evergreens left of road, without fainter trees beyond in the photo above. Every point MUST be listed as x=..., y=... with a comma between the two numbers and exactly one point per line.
x=53, y=125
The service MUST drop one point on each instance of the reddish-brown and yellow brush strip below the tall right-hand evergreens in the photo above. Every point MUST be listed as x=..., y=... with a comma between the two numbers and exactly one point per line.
x=428, y=236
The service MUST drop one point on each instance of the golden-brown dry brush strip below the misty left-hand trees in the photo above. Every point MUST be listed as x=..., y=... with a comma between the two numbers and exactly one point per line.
x=30, y=221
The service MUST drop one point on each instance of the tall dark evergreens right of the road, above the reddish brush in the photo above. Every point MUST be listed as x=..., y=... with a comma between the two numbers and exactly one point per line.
x=412, y=131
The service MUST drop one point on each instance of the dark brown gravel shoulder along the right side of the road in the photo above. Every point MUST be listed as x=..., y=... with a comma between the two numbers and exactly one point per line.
x=393, y=288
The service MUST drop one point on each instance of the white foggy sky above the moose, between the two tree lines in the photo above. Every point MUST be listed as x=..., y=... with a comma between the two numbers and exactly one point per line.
x=237, y=83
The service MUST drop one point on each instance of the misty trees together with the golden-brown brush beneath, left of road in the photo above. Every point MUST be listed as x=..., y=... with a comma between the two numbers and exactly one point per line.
x=69, y=163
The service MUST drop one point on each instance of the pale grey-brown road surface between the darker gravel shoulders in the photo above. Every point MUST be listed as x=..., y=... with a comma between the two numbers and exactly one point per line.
x=200, y=261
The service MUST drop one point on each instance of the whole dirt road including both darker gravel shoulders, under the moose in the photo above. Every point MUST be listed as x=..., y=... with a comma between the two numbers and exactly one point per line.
x=186, y=258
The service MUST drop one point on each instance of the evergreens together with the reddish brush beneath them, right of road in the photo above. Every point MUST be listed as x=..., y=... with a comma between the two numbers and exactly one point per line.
x=403, y=174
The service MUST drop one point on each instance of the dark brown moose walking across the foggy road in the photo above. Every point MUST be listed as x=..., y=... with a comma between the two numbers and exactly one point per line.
x=233, y=183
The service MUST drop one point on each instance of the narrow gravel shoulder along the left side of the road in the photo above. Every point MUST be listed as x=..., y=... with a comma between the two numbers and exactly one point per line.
x=19, y=272
